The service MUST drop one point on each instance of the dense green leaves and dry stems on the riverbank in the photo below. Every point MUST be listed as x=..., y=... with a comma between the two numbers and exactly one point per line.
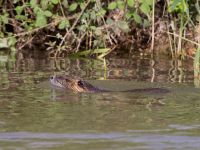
x=87, y=27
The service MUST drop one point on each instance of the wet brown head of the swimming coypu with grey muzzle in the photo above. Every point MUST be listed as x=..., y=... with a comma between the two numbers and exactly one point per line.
x=73, y=84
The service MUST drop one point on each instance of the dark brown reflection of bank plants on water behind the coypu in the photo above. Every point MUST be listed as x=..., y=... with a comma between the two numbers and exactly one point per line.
x=140, y=69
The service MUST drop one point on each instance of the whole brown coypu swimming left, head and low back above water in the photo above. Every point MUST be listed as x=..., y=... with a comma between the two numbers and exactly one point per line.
x=78, y=85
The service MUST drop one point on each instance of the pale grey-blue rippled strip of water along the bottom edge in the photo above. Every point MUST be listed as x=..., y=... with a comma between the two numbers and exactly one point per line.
x=91, y=141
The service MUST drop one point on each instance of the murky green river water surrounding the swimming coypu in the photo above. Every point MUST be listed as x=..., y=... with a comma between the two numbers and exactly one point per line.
x=33, y=115
